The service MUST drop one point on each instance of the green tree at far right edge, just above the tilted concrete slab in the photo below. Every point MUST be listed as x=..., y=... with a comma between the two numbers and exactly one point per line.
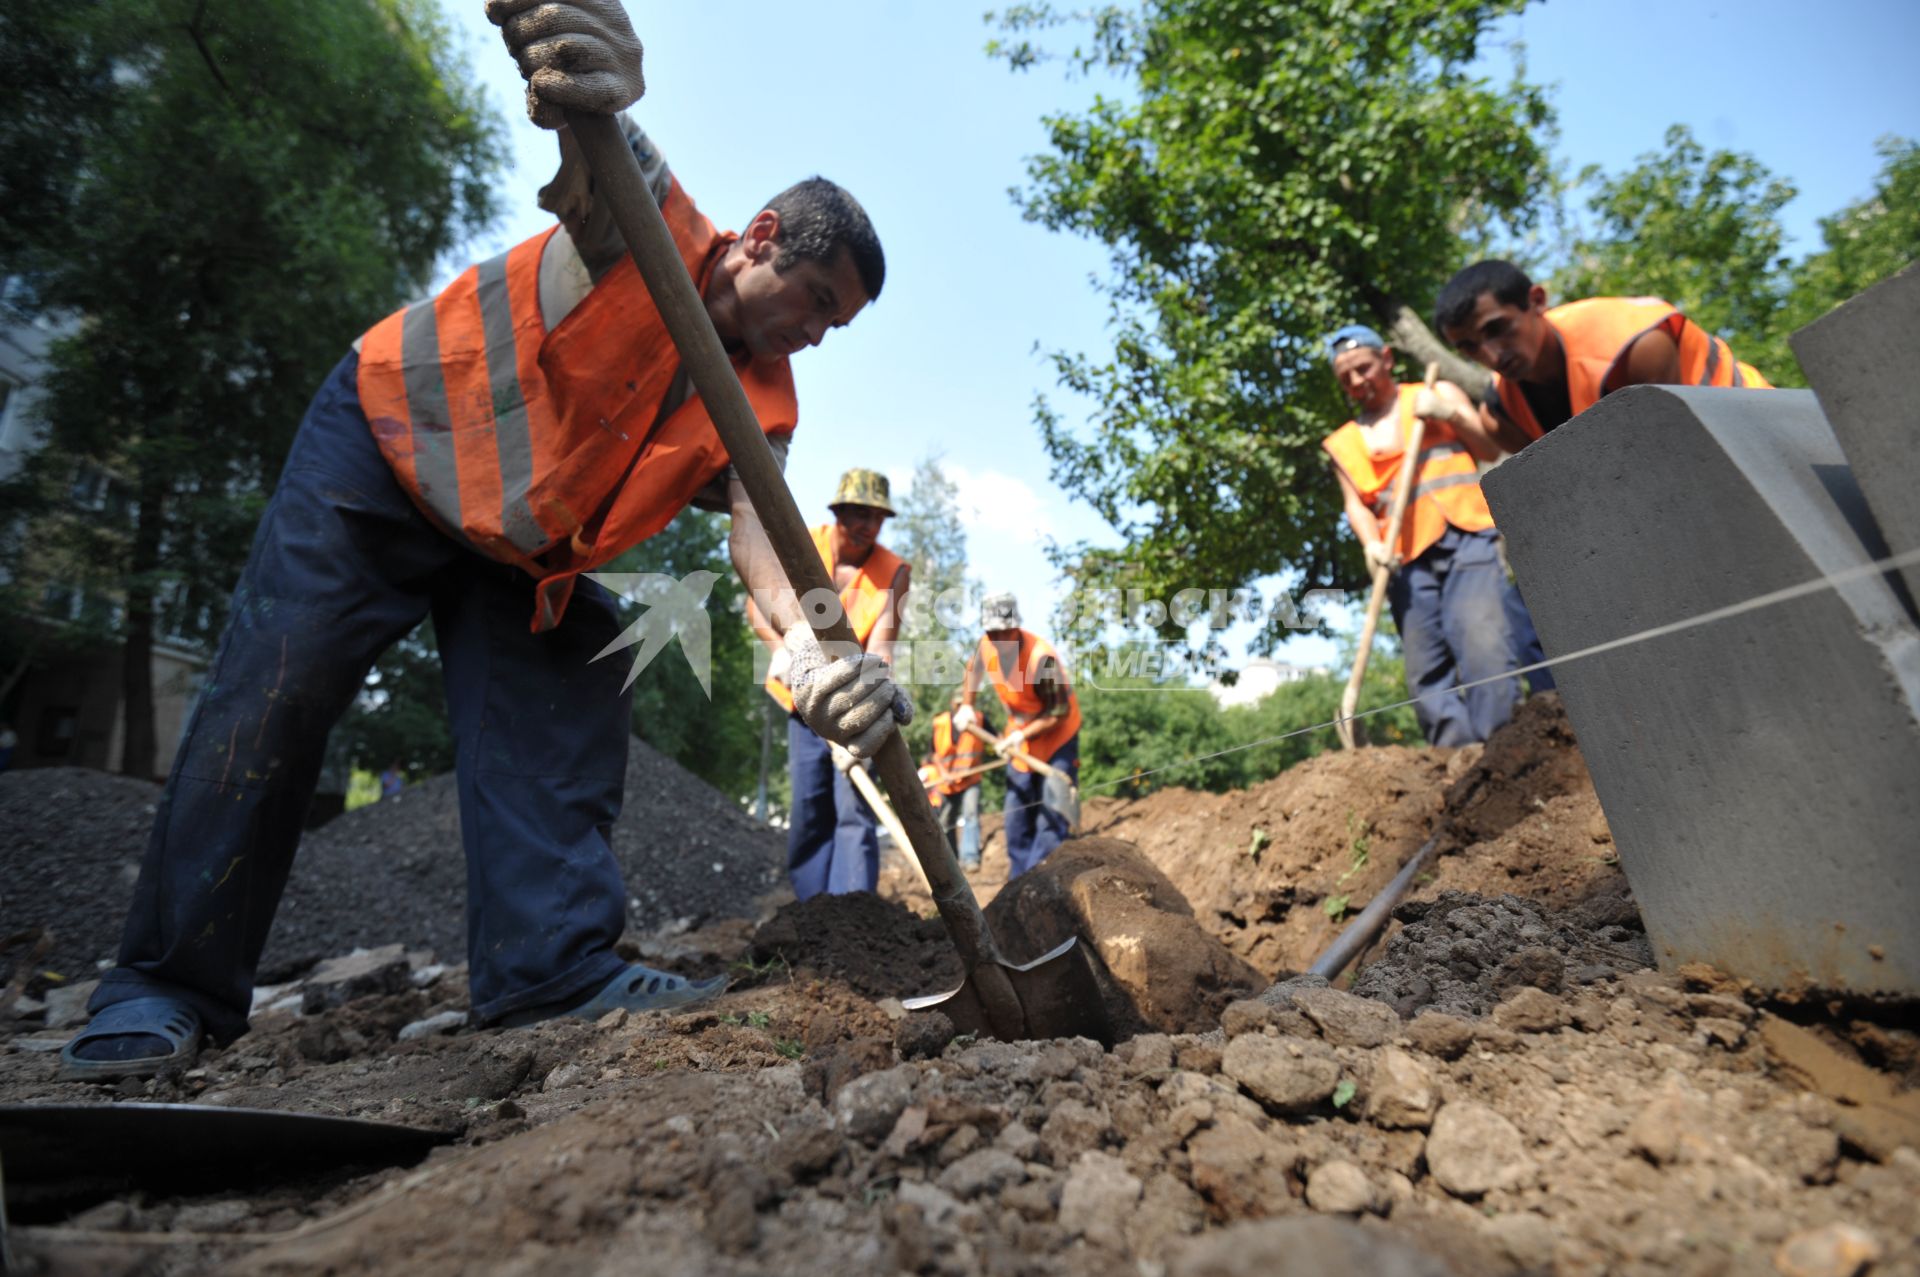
x=1863, y=243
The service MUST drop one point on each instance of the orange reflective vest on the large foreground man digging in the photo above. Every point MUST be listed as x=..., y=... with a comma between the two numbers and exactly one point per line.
x=546, y=448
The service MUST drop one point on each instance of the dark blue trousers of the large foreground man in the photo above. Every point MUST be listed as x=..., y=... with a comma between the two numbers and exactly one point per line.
x=341, y=569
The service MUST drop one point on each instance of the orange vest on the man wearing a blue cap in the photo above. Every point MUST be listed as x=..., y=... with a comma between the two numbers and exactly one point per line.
x=1447, y=489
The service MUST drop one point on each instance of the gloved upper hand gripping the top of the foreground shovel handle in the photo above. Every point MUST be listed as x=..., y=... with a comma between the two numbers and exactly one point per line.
x=573, y=55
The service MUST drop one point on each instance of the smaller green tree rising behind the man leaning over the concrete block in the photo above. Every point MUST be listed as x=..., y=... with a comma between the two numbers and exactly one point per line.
x=1700, y=229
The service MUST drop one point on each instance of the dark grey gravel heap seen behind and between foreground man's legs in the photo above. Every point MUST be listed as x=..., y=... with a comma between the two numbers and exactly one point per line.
x=391, y=873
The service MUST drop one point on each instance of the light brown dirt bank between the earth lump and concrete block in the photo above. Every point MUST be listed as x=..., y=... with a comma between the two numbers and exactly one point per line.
x=1276, y=871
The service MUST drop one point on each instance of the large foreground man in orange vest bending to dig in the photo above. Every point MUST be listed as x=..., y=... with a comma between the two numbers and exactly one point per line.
x=471, y=460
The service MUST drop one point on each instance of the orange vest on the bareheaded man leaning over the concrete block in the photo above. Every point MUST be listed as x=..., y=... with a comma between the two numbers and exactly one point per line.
x=1596, y=337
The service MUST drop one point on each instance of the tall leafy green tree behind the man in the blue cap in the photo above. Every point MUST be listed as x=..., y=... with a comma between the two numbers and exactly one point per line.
x=1278, y=170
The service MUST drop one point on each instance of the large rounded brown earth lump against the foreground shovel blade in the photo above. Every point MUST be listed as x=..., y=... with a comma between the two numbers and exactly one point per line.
x=1164, y=971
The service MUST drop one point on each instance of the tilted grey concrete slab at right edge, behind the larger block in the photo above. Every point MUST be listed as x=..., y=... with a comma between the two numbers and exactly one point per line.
x=1860, y=360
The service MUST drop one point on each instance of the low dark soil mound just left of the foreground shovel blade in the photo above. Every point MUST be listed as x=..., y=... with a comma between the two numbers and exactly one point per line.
x=873, y=944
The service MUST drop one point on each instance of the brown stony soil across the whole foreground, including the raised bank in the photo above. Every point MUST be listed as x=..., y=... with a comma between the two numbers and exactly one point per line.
x=1516, y=1097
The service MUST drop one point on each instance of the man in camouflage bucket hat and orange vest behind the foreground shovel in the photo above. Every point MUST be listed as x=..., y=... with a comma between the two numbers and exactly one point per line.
x=832, y=842
